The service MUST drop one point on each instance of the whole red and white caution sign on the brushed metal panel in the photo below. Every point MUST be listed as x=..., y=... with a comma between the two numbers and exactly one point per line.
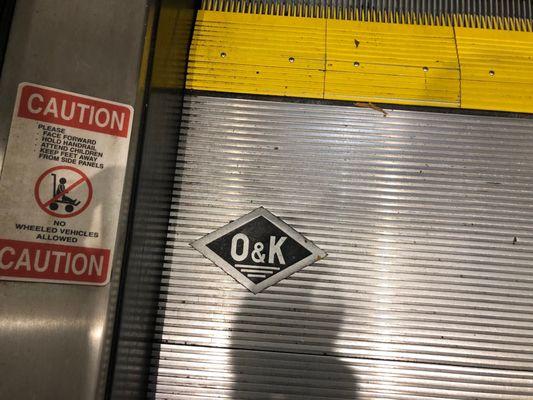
x=61, y=186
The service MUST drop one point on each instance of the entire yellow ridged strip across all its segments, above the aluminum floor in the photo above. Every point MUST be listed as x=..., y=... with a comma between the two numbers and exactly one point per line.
x=362, y=61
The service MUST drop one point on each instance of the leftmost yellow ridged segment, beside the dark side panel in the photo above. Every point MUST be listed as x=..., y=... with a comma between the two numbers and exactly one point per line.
x=247, y=53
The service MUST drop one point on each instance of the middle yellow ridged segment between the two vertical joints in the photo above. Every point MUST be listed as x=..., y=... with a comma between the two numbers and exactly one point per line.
x=391, y=63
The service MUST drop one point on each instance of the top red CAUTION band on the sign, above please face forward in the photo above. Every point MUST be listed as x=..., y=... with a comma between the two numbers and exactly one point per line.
x=76, y=111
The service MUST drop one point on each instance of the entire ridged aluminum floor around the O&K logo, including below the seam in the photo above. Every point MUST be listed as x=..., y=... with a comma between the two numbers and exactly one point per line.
x=427, y=288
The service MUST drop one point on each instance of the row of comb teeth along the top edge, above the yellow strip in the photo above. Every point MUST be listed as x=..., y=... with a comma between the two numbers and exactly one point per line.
x=513, y=15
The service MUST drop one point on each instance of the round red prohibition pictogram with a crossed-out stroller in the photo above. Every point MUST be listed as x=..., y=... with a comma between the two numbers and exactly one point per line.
x=63, y=191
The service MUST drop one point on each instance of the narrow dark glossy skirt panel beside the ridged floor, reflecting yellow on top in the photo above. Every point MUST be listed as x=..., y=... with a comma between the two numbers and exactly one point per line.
x=134, y=329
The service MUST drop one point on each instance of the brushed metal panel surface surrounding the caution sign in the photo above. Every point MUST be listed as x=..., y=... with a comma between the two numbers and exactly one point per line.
x=54, y=338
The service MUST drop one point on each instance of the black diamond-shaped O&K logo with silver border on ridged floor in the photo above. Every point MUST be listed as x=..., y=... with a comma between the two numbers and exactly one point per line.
x=258, y=250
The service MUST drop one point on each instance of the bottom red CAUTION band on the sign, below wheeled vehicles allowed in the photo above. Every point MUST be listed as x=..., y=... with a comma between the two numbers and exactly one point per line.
x=52, y=262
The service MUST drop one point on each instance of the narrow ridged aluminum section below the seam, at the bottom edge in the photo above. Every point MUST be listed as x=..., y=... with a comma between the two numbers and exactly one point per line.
x=209, y=373
